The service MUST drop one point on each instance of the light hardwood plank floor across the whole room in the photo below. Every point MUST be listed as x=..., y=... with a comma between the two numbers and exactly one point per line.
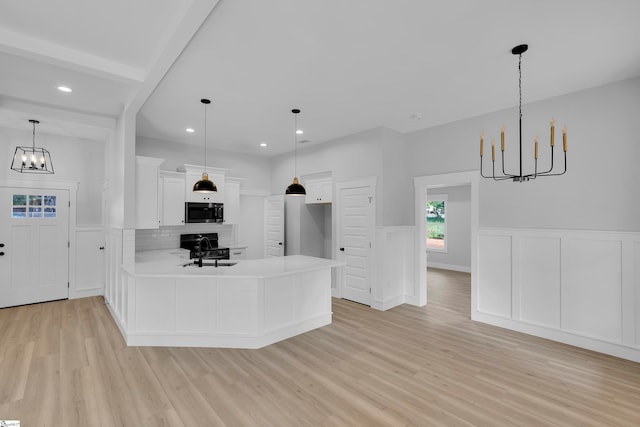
x=65, y=364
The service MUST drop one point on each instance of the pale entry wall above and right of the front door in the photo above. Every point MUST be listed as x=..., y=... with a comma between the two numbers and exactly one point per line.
x=74, y=159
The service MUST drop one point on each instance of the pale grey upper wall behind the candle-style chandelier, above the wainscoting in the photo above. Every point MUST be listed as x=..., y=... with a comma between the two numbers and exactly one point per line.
x=598, y=191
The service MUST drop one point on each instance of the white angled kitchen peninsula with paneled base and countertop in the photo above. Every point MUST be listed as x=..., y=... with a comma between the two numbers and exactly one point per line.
x=249, y=305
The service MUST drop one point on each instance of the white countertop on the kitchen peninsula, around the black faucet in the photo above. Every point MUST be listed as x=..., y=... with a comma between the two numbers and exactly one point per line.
x=170, y=263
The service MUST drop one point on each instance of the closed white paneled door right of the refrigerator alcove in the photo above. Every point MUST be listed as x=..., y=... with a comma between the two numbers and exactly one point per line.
x=356, y=219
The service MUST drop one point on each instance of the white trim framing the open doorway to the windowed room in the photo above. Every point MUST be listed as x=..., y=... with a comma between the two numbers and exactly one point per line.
x=421, y=186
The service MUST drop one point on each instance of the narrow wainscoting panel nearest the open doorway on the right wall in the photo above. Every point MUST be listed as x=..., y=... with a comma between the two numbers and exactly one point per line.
x=494, y=284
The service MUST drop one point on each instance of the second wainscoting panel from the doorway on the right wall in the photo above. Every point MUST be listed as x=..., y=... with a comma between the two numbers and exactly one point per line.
x=539, y=291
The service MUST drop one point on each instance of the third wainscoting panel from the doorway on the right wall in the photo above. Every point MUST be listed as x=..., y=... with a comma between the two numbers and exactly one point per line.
x=592, y=288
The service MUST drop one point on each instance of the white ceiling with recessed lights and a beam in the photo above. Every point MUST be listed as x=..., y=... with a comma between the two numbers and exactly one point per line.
x=348, y=65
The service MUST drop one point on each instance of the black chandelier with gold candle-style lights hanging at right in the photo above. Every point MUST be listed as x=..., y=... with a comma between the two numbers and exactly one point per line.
x=520, y=177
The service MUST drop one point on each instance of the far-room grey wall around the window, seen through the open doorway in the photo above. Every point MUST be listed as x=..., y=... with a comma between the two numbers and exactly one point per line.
x=458, y=217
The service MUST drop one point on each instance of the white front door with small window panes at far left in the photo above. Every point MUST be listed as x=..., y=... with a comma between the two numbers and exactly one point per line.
x=34, y=235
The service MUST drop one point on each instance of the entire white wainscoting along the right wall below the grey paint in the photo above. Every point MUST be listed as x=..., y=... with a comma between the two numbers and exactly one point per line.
x=577, y=287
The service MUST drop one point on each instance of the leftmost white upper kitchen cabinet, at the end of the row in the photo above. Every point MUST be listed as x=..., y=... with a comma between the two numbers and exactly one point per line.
x=147, y=176
